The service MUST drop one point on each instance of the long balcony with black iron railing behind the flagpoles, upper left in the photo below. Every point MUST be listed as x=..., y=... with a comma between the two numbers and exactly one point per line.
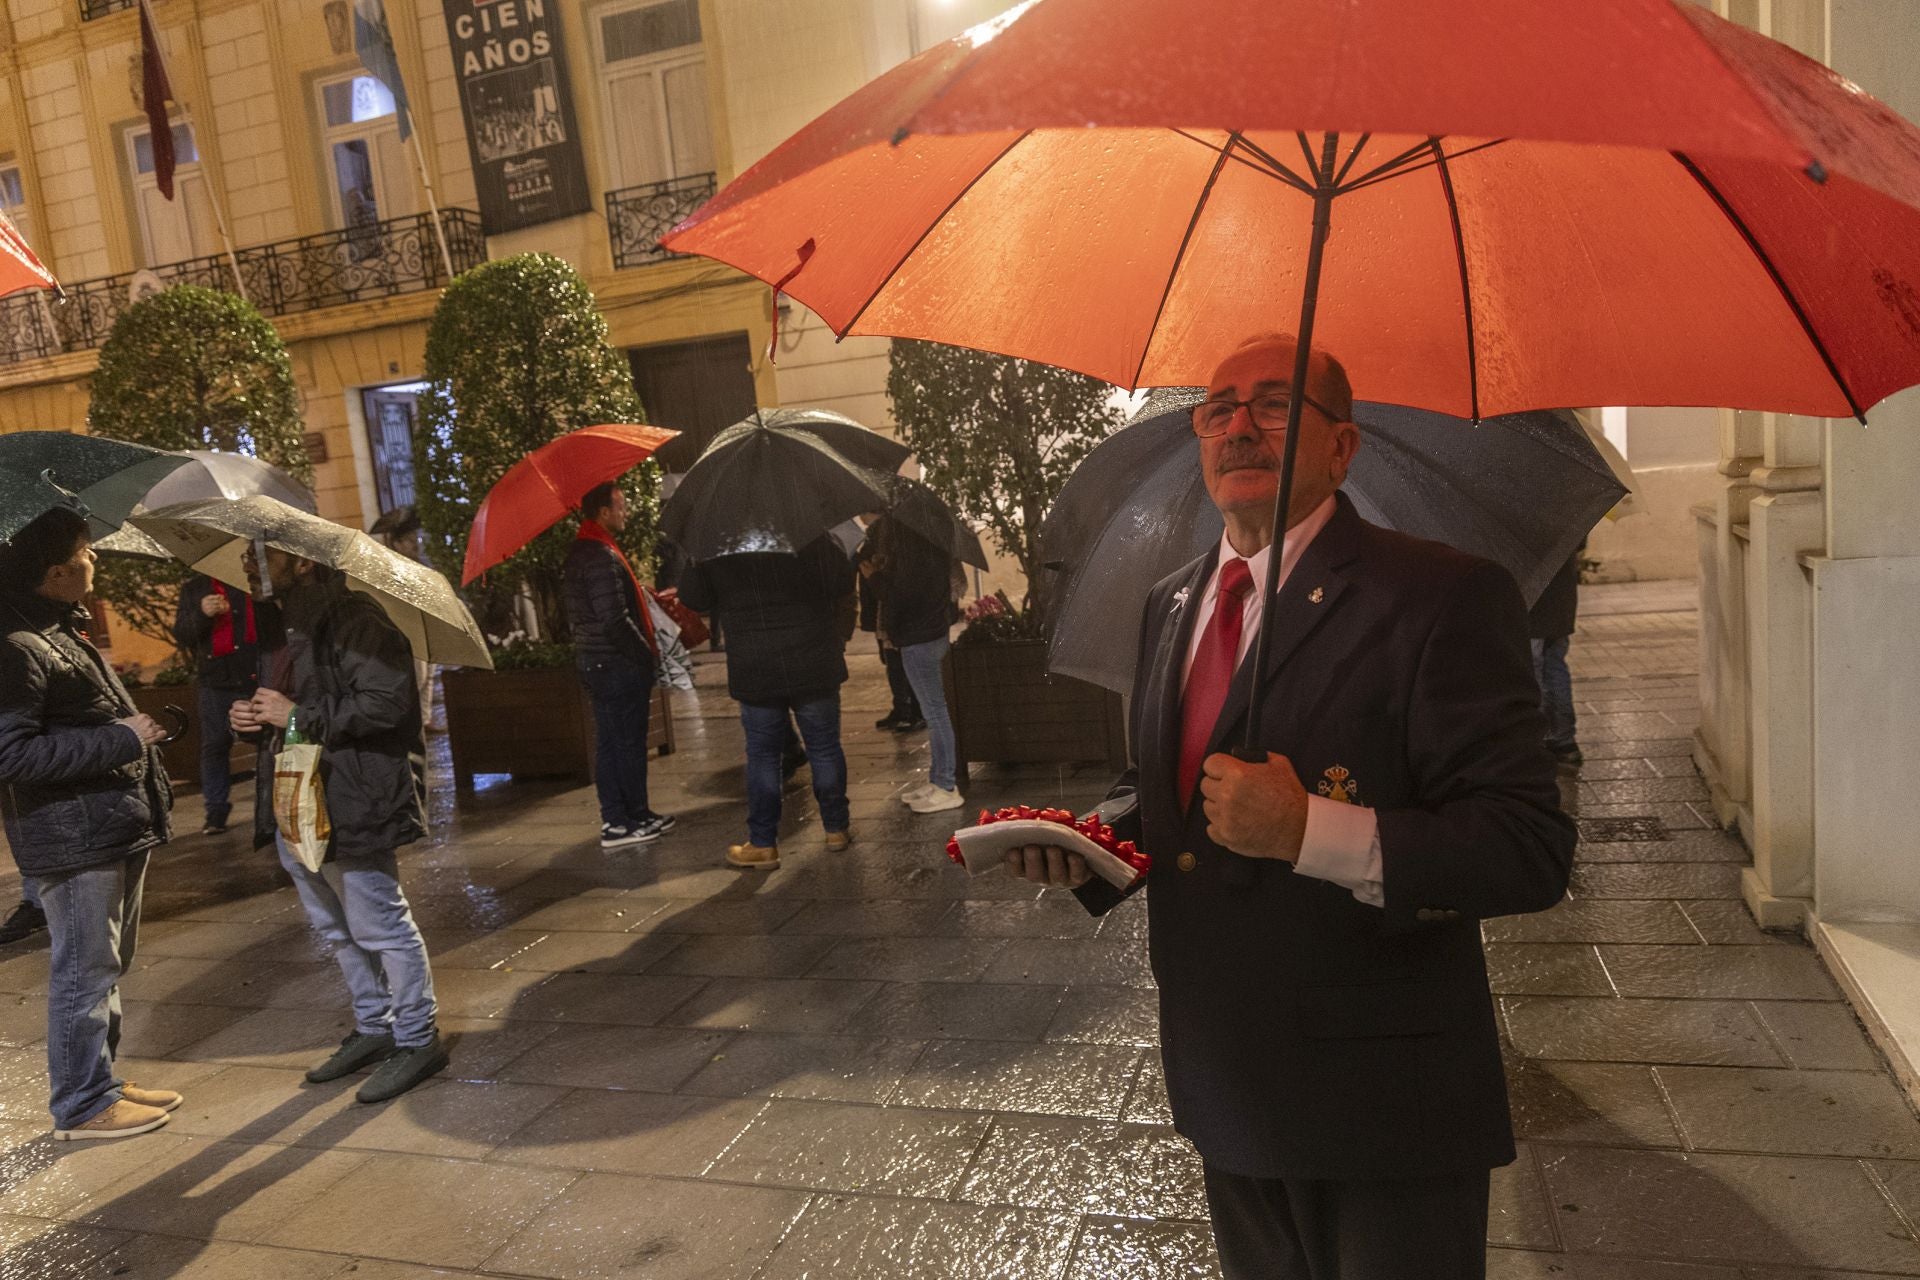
x=333, y=270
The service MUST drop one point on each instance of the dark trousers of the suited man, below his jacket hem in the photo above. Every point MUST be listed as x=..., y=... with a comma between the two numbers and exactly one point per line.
x=1301, y=1229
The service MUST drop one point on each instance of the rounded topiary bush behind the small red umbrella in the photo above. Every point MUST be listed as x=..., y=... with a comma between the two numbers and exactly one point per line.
x=517, y=356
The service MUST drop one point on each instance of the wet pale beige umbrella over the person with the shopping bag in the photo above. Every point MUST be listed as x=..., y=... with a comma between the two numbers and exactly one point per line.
x=212, y=538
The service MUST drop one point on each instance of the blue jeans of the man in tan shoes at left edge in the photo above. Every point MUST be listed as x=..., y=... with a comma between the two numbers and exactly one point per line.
x=93, y=918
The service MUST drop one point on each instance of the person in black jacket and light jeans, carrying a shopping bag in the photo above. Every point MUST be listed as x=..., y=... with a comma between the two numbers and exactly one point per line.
x=343, y=678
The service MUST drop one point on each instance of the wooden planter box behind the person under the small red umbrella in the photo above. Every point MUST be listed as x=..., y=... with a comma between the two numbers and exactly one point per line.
x=531, y=724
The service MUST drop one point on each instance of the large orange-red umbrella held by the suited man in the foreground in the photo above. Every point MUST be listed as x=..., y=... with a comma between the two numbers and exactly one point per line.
x=1479, y=208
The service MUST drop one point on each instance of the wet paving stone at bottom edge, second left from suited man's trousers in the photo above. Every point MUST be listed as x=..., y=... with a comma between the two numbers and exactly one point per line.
x=863, y=1239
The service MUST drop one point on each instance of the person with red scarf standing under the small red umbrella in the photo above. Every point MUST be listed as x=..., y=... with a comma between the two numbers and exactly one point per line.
x=617, y=657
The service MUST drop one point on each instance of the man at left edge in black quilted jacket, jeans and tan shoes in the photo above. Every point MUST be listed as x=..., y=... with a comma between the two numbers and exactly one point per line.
x=85, y=799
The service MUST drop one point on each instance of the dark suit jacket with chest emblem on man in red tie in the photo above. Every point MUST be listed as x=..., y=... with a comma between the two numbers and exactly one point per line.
x=1305, y=1033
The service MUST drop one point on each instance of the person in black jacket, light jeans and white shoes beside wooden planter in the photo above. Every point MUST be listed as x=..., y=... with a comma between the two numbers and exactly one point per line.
x=917, y=605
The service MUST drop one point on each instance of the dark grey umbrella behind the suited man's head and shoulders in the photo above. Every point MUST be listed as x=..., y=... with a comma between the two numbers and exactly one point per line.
x=1520, y=490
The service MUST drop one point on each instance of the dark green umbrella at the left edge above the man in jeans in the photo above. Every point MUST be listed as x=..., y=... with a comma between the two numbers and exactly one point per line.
x=41, y=471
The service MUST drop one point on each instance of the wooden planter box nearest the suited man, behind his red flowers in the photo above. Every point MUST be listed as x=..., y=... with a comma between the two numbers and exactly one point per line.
x=1009, y=711
